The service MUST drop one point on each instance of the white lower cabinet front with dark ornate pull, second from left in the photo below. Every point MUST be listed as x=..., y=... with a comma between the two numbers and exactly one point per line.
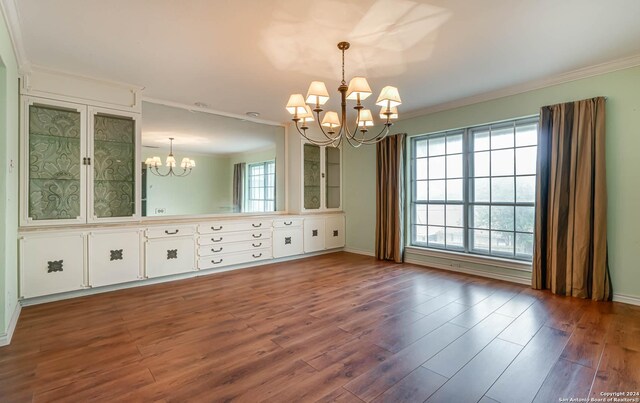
x=114, y=257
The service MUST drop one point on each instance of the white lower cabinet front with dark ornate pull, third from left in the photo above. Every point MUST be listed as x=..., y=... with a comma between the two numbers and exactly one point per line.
x=170, y=256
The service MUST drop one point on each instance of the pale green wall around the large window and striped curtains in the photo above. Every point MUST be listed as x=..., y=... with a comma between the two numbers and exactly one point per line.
x=623, y=146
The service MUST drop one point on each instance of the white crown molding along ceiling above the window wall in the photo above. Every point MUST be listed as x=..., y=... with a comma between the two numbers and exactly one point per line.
x=578, y=74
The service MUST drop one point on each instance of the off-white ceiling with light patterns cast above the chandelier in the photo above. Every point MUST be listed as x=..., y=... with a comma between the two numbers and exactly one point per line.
x=249, y=55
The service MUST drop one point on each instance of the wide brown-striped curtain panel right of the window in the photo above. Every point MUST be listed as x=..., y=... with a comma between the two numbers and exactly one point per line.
x=570, y=254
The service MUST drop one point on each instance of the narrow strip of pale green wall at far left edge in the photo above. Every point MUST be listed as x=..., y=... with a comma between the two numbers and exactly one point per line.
x=8, y=179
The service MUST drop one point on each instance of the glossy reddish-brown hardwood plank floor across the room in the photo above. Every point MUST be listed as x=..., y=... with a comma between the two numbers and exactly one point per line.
x=337, y=327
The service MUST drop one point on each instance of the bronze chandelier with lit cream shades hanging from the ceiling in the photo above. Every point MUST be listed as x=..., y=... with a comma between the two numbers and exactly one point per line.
x=357, y=90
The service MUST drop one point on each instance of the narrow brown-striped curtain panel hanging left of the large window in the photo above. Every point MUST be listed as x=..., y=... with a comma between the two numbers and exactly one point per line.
x=390, y=167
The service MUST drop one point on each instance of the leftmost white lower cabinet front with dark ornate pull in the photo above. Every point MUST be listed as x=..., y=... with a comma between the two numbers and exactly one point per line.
x=51, y=264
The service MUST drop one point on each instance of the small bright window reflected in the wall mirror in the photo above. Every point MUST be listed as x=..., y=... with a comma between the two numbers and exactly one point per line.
x=261, y=184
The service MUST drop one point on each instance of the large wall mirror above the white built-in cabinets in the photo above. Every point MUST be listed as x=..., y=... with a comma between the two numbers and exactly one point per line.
x=239, y=164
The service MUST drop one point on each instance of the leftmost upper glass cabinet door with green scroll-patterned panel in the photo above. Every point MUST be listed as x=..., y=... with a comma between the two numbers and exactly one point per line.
x=54, y=177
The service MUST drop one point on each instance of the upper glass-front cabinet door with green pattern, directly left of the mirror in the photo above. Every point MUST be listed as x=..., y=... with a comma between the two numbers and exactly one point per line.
x=114, y=165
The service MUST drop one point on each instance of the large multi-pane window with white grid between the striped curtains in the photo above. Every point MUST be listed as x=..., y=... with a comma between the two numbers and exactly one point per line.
x=473, y=190
